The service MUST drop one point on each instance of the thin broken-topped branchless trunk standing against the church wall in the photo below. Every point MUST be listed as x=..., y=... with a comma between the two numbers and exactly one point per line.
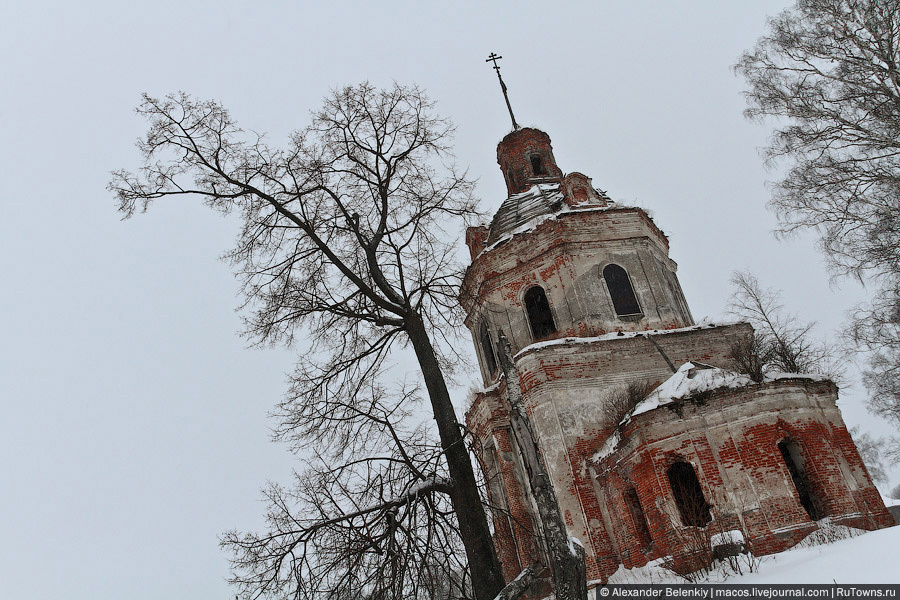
x=566, y=558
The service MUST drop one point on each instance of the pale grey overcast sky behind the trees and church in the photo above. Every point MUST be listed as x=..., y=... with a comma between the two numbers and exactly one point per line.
x=133, y=427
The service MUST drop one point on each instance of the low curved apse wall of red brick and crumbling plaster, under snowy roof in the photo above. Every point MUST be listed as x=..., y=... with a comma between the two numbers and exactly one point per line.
x=731, y=440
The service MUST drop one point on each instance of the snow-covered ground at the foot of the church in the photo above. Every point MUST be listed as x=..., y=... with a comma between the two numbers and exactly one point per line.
x=861, y=557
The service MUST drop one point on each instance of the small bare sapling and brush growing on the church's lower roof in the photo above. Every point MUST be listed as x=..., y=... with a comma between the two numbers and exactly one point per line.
x=781, y=341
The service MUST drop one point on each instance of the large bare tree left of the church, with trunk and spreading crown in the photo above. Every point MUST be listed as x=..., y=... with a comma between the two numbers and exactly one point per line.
x=341, y=244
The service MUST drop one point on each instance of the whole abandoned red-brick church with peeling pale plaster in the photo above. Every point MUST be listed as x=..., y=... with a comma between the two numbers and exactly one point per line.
x=585, y=291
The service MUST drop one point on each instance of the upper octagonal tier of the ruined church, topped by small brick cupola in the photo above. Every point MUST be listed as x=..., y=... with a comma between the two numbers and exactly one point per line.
x=560, y=259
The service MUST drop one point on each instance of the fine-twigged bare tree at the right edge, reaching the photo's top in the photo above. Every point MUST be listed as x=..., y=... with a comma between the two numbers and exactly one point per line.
x=829, y=71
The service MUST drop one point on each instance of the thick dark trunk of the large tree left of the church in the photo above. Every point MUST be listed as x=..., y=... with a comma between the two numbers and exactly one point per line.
x=487, y=578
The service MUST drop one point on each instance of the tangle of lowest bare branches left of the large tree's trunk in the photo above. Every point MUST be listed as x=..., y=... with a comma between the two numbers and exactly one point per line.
x=368, y=517
